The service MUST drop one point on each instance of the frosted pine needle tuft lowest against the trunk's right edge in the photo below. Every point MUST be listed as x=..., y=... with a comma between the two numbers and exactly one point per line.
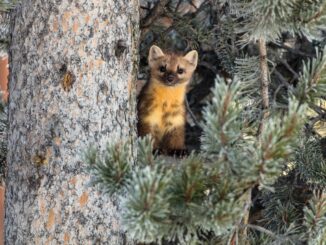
x=146, y=207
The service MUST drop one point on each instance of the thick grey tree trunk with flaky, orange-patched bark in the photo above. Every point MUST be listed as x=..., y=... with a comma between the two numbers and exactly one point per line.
x=72, y=73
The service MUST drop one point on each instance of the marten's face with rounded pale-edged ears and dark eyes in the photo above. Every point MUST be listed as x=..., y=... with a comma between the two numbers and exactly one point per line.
x=171, y=69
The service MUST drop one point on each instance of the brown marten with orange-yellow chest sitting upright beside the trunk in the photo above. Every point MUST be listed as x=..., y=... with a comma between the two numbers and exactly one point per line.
x=161, y=102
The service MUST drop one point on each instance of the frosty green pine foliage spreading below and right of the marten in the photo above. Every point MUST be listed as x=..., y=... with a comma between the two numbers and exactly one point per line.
x=260, y=174
